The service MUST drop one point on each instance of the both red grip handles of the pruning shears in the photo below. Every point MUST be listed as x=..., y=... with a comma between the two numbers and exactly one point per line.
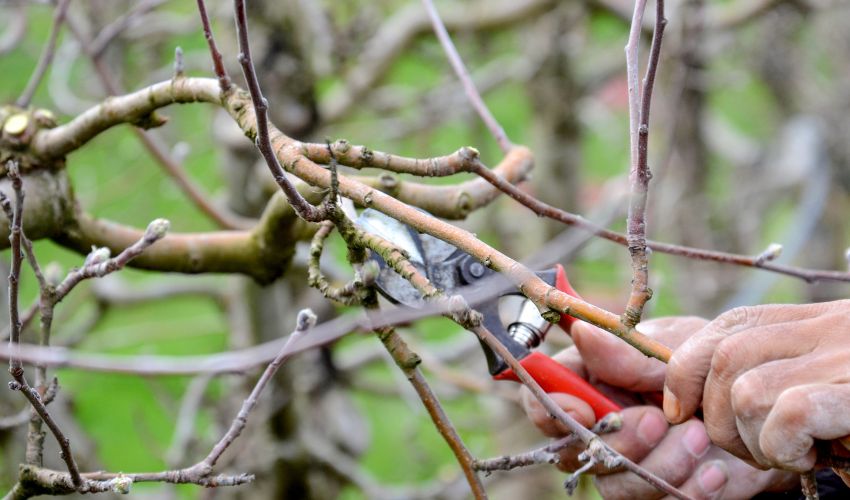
x=555, y=377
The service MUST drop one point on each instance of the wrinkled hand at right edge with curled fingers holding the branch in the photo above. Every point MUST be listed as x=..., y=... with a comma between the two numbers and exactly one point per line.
x=771, y=380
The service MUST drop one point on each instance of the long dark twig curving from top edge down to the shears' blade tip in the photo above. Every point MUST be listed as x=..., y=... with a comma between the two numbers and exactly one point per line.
x=302, y=207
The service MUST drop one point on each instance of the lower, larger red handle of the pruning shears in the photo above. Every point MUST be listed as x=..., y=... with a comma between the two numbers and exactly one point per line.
x=555, y=377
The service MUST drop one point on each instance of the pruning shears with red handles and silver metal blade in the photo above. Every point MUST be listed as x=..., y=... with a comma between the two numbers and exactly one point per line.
x=509, y=315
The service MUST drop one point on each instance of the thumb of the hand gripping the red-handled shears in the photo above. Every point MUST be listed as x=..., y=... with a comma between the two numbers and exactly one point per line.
x=615, y=362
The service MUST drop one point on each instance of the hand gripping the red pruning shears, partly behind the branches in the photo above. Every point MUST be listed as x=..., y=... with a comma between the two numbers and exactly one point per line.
x=681, y=454
